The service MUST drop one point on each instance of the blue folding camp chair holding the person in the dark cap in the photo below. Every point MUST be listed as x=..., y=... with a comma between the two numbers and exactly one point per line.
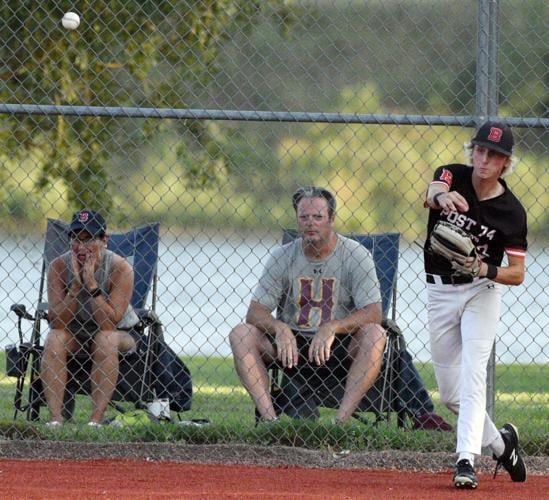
x=141, y=375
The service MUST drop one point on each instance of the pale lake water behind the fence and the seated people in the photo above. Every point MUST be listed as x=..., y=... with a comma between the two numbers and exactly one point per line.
x=205, y=285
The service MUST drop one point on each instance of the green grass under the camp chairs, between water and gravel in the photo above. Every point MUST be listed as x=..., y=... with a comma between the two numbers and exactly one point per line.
x=220, y=398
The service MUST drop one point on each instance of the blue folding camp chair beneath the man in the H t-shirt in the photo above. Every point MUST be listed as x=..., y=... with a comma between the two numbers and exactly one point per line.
x=382, y=398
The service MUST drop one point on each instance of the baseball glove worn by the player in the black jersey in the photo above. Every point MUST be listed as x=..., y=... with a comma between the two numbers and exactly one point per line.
x=456, y=245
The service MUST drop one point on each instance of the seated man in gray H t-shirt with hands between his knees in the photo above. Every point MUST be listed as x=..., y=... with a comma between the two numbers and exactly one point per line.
x=328, y=290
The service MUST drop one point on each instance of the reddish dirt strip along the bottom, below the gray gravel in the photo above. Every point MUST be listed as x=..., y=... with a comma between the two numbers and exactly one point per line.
x=120, y=479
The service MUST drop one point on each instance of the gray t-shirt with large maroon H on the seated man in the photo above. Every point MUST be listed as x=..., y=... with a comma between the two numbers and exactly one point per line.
x=318, y=291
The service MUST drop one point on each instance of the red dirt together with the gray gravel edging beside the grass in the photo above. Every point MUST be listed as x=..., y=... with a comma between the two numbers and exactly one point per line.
x=47, y=469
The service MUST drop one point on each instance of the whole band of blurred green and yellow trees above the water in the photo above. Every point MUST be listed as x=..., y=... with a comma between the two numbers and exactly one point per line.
x=357, y=57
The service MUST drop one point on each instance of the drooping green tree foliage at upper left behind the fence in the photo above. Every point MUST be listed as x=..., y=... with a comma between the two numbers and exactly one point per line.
x=125, y=53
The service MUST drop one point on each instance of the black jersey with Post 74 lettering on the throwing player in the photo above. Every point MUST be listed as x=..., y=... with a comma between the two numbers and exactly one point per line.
x=496, y=225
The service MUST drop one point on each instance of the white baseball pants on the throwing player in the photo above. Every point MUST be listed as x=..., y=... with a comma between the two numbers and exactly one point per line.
x=462, y=324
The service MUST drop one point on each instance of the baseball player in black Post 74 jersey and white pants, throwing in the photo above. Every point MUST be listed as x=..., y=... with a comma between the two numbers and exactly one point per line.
x=464, y=307
